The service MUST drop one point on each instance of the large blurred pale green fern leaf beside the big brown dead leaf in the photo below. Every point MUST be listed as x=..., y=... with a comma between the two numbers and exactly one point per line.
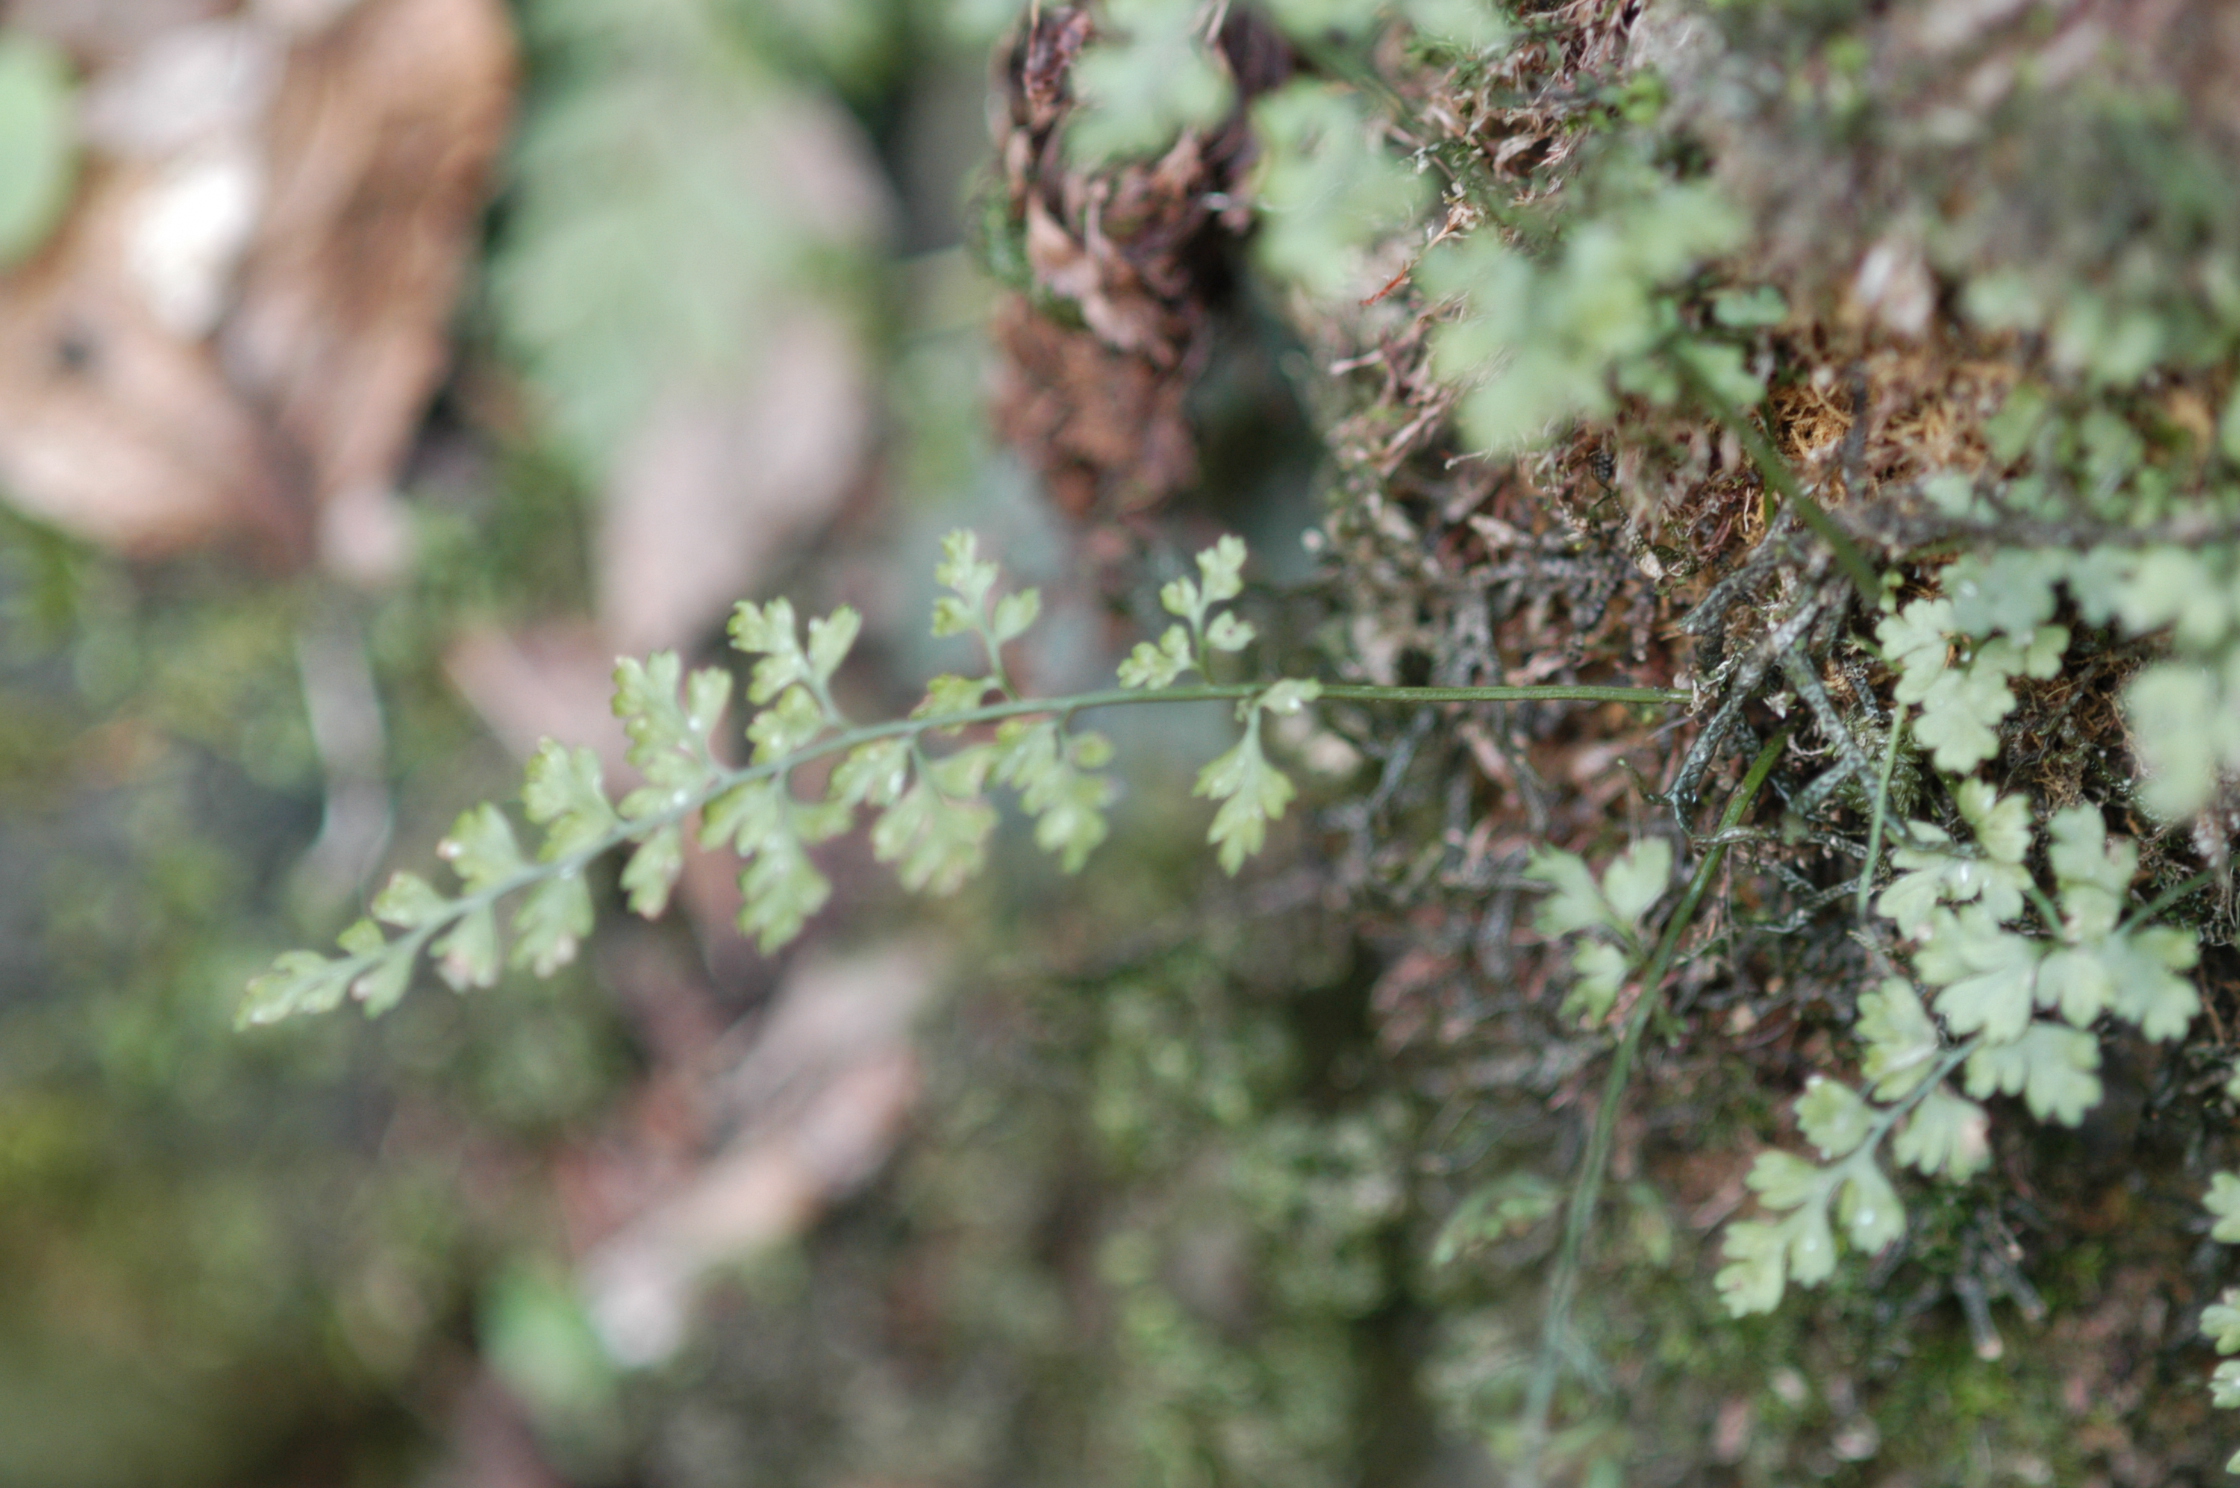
x=657, y=236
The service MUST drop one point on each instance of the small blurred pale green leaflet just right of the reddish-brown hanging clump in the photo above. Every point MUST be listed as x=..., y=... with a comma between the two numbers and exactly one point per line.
x=1325, y=185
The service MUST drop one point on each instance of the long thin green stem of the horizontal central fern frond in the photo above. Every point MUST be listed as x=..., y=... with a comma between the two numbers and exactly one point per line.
x=913, y=729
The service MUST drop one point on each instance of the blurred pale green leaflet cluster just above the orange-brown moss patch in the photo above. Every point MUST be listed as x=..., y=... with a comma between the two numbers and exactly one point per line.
x=1553, y=342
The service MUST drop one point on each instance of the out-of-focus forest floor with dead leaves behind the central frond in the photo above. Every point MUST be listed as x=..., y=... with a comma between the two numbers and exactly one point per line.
x=716, y=333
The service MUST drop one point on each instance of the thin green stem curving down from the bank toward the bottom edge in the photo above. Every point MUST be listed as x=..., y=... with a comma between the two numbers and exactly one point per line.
x=1587, y=1193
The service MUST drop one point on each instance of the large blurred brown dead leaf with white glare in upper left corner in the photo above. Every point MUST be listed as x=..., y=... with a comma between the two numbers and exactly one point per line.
x=245, y=313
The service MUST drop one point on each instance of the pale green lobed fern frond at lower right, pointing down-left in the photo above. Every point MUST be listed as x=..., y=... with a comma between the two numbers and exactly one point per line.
x=1992, y=987
